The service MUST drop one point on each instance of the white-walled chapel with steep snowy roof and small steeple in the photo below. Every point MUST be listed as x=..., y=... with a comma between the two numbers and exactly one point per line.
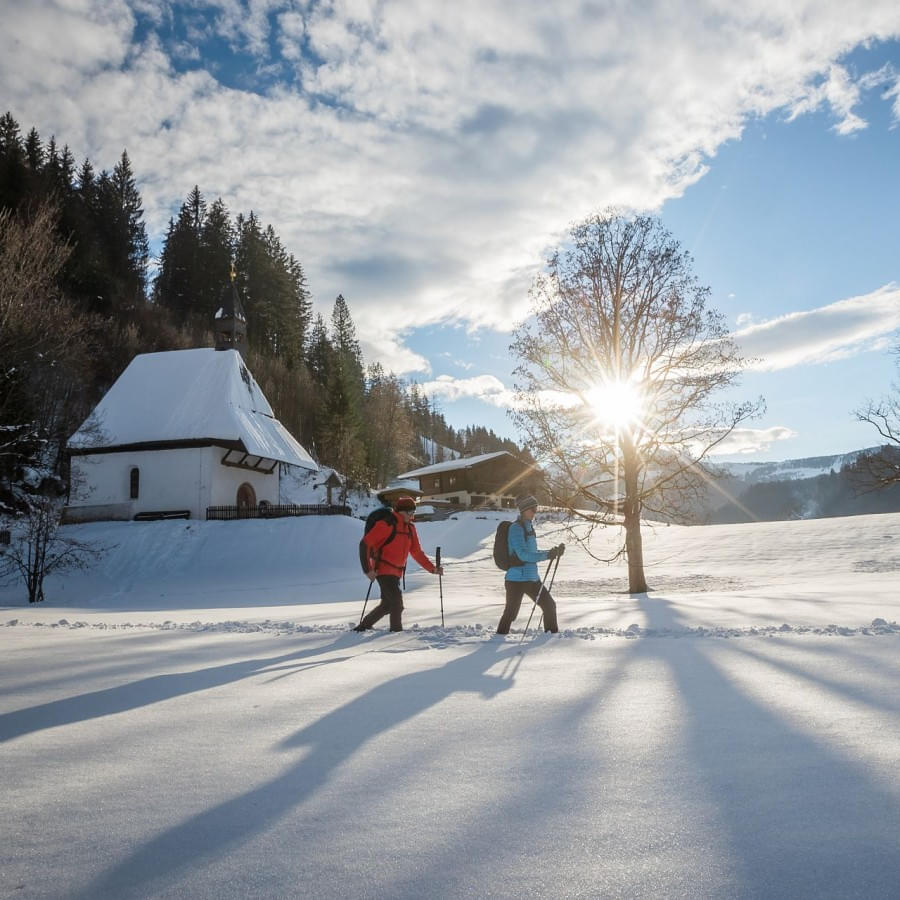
x=179, y=432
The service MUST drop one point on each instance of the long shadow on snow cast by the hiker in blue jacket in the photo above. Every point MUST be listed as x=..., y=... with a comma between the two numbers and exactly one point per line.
x=331, y=740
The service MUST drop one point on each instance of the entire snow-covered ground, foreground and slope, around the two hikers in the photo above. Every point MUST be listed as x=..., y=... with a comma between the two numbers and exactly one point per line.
x=192, y=719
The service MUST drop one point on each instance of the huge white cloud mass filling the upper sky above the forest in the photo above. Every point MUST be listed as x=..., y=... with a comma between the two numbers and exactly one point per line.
x=425, y=157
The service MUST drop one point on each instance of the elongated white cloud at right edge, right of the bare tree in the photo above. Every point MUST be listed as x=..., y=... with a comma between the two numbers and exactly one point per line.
x=831, y=332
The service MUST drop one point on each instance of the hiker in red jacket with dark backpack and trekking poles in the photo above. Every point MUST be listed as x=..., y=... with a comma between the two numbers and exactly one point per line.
x=389, y=544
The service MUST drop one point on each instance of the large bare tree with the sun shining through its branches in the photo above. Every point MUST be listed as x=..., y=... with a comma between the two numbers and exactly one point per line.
x=619, y=365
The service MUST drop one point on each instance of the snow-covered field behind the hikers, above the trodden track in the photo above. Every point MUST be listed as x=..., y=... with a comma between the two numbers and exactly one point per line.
x=307, y=568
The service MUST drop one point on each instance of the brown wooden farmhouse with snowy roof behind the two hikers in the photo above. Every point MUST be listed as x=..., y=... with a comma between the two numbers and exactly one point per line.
x=490, y=480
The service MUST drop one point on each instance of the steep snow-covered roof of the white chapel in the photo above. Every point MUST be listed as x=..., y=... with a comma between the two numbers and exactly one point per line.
x=189, y=395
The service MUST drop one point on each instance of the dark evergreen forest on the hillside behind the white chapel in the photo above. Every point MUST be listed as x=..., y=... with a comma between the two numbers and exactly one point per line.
x=77, y=304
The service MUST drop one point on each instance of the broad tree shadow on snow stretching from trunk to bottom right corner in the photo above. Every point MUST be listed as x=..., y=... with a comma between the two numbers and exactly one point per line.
x=802, y=819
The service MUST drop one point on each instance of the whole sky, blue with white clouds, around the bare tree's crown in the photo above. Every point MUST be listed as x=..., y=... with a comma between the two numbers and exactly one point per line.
x=422, y=161
